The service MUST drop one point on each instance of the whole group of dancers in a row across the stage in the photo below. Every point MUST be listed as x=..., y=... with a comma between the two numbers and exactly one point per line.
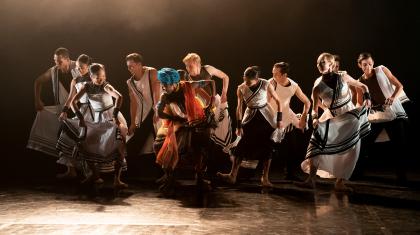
x=178, y=115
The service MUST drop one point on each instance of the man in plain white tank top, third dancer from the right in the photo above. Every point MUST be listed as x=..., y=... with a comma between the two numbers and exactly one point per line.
x=285, y=89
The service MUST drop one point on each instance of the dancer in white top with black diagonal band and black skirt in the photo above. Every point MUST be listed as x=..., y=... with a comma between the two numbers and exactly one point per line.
x=256, y=126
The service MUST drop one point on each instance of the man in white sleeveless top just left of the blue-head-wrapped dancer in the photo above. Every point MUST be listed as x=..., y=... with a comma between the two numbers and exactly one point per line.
x=144, y=90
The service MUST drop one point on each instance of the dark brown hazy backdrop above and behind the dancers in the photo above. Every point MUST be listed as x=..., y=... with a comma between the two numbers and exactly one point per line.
x=229, y=35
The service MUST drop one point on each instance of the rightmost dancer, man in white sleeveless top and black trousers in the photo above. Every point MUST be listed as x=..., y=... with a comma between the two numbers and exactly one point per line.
x=387, y=114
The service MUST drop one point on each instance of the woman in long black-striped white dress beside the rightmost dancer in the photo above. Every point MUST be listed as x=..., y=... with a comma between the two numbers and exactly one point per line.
x=335, y=143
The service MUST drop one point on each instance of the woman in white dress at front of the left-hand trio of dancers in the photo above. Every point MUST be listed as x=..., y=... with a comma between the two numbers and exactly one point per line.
x=105, y=136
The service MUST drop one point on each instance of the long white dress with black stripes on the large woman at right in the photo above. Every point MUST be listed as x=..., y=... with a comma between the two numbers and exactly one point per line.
x=335, y=144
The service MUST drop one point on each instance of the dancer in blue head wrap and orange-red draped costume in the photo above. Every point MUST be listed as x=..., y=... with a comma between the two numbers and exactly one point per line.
x=186, y=124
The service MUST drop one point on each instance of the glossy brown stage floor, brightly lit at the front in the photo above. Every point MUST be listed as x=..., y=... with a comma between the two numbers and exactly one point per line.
x=66, y=208
